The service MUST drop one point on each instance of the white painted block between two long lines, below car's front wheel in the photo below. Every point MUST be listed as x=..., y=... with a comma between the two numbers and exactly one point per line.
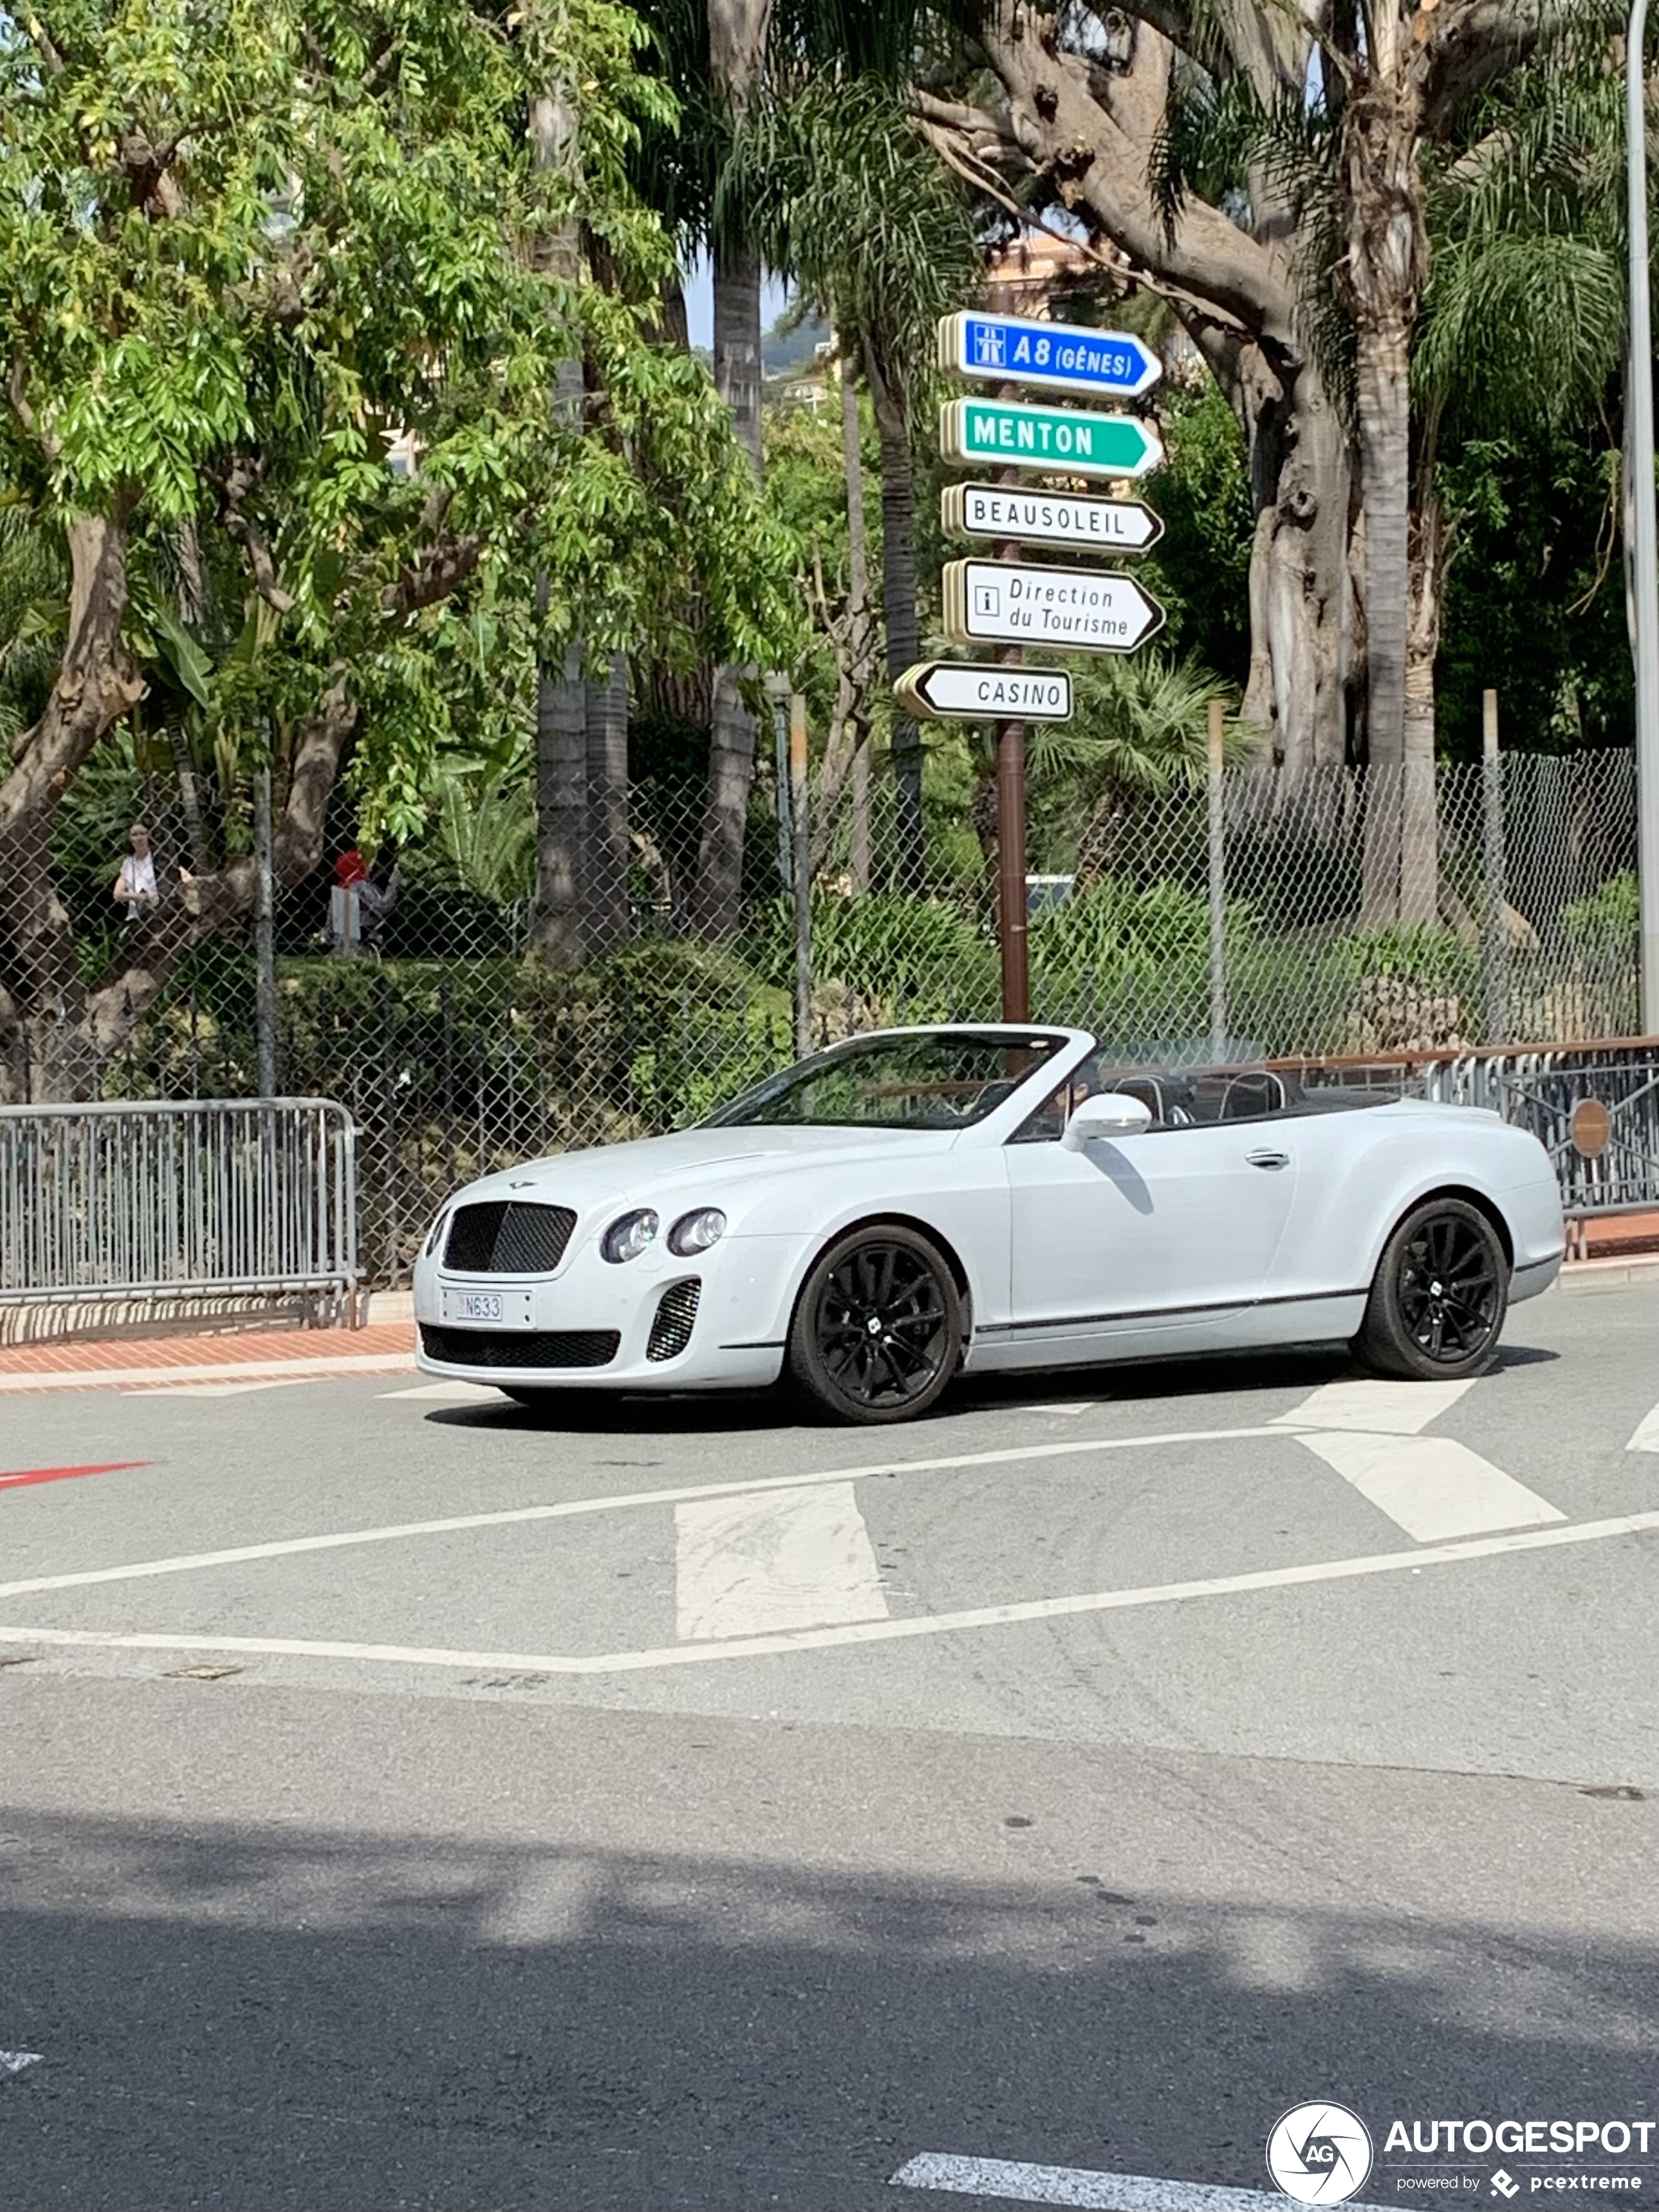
x=795, y=1561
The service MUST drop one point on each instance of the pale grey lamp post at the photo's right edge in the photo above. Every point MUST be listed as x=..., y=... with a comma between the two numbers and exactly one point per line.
x=1645, y=525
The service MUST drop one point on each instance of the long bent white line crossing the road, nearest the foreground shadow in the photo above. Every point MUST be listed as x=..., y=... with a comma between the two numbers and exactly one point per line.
x=939, y=1625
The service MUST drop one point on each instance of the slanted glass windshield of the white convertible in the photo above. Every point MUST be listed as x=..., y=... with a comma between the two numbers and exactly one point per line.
x=928, y=1081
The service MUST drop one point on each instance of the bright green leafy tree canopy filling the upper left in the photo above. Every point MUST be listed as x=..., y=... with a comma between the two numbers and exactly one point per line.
x=244, y=251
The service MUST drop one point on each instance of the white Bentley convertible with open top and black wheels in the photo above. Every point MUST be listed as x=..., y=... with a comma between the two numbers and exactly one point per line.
x=928, y=1202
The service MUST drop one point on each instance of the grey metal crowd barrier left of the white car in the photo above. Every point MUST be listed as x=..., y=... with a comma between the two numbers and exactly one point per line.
x=178, y=1200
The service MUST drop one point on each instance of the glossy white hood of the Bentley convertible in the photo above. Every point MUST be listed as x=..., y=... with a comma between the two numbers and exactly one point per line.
x=702, y=1158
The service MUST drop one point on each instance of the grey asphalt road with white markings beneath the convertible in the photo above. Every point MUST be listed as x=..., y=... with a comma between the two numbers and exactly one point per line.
x=682, y=1808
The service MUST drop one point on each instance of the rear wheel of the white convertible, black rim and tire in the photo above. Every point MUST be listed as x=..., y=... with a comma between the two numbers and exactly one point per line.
x=1439, y=1295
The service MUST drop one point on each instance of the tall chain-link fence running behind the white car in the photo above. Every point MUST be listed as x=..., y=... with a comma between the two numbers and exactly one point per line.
x=1258, y=921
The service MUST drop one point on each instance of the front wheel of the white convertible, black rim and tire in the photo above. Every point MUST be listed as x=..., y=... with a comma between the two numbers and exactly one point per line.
x=877, y=1331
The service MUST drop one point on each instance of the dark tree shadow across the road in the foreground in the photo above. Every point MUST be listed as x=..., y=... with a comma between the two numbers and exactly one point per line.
x=240, y=2018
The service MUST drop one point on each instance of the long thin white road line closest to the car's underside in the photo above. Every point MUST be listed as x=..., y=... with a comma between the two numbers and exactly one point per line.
x=572, y=1507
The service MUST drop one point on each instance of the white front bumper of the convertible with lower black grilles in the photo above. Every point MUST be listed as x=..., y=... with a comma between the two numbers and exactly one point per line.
x=735, y=1339
